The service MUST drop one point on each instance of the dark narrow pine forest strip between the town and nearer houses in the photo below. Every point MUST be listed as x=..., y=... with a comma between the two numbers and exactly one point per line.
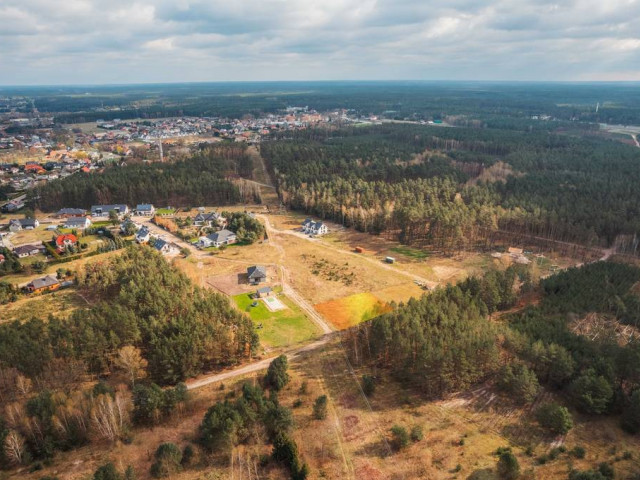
x=199, y=180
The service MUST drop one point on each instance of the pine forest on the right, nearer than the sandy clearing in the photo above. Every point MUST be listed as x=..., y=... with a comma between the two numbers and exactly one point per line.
x=445, y=342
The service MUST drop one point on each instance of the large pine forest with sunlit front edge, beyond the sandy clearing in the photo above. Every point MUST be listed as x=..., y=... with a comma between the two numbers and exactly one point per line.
x=449, y=186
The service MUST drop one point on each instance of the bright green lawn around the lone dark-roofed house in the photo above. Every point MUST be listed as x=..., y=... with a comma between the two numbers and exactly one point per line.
x=279, y=329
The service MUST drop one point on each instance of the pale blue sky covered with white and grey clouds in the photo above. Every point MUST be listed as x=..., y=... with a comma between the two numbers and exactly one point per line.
x=129, y=41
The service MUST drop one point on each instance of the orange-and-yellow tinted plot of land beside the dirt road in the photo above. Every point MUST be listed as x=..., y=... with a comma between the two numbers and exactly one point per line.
x=348, y=311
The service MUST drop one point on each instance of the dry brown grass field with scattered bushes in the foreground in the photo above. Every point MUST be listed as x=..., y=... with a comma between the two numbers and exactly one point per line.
x=461, y=433
